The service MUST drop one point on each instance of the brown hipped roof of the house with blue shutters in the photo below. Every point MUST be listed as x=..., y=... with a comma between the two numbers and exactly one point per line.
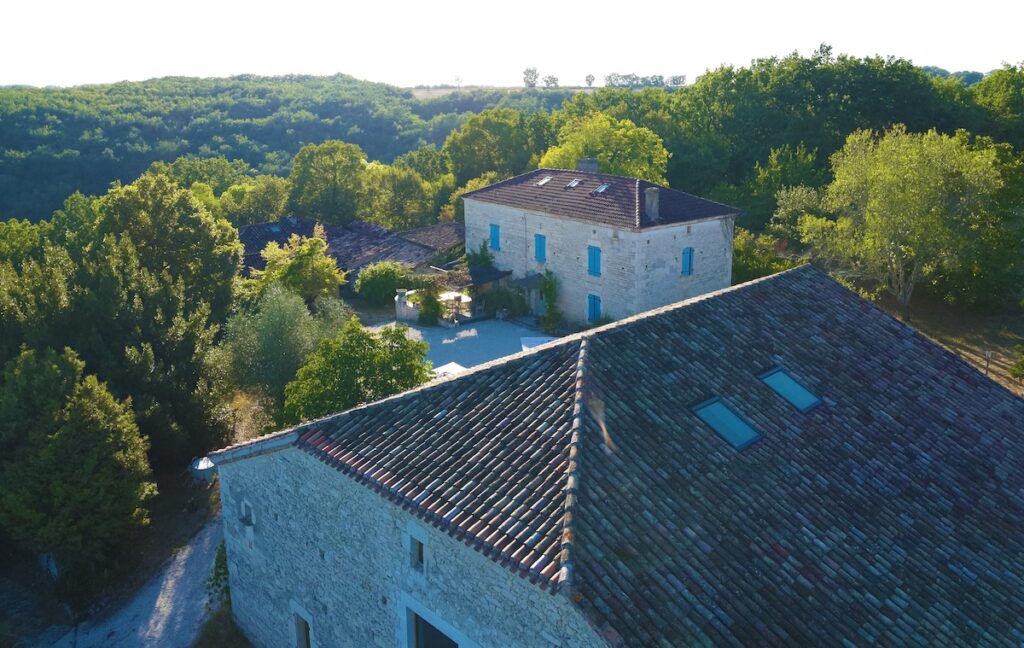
x=622, y=204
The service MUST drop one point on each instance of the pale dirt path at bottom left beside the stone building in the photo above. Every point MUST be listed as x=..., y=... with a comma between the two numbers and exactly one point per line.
x=169, y=611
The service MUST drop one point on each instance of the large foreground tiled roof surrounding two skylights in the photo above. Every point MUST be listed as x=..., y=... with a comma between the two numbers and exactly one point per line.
x=892, y=513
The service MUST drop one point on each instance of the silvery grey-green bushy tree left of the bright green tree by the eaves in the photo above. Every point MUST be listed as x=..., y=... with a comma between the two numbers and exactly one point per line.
x=264, y=350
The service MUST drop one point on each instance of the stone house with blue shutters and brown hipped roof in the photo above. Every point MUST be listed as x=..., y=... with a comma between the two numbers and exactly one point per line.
x=617, y=246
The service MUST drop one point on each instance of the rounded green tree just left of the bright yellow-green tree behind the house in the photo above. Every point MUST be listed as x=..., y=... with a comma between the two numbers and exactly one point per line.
x=496, y=140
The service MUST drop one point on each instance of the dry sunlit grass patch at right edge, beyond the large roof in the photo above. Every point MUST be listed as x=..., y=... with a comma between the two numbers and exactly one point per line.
x=970, y=335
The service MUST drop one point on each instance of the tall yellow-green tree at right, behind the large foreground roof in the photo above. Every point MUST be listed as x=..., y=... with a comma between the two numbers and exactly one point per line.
x=904, y=202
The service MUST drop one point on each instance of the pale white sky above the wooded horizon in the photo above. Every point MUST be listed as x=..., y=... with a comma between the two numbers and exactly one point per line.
x=70, y=42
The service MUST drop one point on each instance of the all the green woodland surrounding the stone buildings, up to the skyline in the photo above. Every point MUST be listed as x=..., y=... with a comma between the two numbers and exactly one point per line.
x=131, y=339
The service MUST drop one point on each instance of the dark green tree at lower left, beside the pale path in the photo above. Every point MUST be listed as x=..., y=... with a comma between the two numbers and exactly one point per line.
x=74, y=478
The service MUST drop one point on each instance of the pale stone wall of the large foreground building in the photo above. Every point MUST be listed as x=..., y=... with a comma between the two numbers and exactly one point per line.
x=326, y=549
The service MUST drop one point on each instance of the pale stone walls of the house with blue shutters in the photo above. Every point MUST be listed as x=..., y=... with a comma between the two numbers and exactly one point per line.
x=641, y=270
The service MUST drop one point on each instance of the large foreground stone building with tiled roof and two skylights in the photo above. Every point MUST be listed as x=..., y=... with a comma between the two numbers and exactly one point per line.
x=778, y=463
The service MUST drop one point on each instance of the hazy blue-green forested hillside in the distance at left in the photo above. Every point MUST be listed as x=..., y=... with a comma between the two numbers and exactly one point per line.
x=55, y=142
